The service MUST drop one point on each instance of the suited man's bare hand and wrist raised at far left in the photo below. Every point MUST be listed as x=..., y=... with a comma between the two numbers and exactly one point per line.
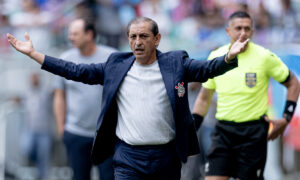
x=26, y=48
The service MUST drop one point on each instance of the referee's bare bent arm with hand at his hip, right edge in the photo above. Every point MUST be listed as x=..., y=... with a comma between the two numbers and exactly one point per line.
x=293, y=90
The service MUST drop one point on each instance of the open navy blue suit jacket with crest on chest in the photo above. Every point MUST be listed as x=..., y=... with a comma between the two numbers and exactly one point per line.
x=175, y=66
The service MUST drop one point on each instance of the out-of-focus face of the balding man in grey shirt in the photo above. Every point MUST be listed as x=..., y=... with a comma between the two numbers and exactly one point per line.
x=77, y=35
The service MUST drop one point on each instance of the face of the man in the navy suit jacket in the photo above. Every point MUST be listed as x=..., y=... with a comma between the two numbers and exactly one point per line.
x=143, y=42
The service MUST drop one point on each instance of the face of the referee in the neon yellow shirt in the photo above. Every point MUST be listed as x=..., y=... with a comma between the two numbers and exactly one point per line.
x=239, y=27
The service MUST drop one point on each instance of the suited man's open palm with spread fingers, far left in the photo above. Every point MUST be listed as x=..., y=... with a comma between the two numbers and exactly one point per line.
x=23, y=47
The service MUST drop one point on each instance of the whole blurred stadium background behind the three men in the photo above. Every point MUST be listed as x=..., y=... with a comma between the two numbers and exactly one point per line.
x=197, y=26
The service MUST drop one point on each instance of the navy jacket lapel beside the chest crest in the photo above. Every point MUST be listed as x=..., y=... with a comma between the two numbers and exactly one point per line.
x=166, y=68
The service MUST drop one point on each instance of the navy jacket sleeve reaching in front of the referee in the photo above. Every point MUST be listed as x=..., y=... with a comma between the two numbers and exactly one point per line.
x=201, y=71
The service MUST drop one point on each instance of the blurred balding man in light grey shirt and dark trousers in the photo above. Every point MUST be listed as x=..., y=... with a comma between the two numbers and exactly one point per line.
x=77, y=106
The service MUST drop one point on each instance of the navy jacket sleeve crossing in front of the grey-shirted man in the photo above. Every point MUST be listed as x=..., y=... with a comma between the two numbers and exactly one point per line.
x=85, y=73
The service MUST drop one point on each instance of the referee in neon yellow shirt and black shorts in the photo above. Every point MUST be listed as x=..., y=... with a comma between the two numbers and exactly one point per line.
x=239, y=140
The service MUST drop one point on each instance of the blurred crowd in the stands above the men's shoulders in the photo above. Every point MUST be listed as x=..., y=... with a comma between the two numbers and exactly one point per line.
x=196, y=25
